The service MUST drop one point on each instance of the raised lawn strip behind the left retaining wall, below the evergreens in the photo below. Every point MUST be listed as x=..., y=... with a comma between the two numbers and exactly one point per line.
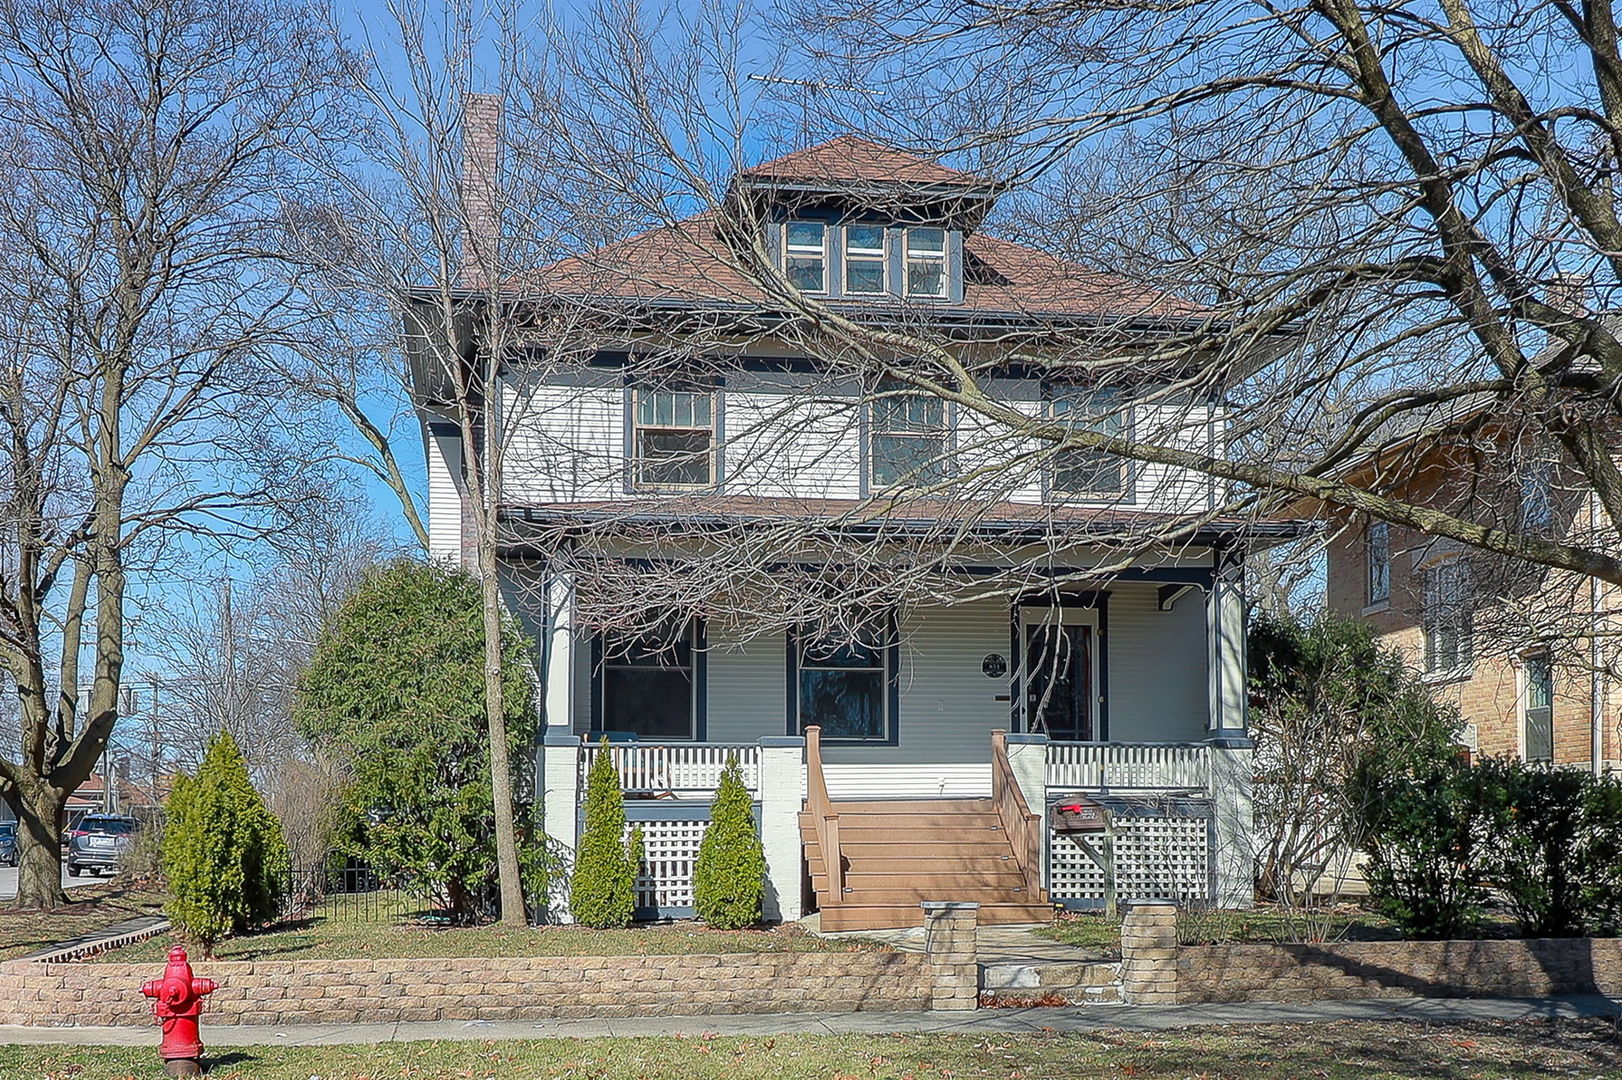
x=333, y=932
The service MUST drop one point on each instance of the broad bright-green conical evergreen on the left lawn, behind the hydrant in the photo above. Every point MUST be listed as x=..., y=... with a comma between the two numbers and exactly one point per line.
x=223, y=851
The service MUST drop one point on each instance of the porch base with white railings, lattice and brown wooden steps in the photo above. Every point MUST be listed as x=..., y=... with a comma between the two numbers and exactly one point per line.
x=980, y=834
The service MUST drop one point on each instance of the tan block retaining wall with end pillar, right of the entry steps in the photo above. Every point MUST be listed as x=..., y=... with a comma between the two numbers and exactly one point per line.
x=1154, y=969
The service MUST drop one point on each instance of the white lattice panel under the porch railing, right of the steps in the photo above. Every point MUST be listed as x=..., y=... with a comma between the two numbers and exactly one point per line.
x=1156, y=857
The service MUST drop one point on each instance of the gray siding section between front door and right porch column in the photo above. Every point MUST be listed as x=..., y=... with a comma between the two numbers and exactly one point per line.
x=1159, y=685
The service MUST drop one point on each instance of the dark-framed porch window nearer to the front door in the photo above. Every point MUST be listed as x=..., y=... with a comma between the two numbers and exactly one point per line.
x=844, y=687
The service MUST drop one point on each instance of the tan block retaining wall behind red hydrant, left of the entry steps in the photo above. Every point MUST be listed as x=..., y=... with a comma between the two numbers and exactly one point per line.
x=543, y=988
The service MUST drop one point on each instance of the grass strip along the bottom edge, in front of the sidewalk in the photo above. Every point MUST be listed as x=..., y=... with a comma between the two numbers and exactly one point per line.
x=1329, y=1052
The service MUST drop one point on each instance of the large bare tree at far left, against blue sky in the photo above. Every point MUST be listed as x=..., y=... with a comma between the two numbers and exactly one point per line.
x=144, y=293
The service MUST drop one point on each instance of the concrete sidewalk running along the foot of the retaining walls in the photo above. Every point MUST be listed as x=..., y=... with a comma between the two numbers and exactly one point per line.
x=985, y=1021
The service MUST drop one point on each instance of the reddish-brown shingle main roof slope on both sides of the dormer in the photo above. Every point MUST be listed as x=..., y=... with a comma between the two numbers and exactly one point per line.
x=685, y=264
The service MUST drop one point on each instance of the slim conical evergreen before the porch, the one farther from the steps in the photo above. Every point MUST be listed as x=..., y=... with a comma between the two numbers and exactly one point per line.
x=603, y=891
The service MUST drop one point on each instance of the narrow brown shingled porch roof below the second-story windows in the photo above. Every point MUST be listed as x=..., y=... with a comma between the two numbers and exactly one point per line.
x=922, y=516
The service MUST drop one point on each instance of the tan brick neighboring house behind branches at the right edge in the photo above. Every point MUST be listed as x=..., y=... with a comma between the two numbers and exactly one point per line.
x=1525, y=653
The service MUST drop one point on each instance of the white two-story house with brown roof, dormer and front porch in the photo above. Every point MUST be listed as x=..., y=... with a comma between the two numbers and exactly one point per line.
x=912, y=630
